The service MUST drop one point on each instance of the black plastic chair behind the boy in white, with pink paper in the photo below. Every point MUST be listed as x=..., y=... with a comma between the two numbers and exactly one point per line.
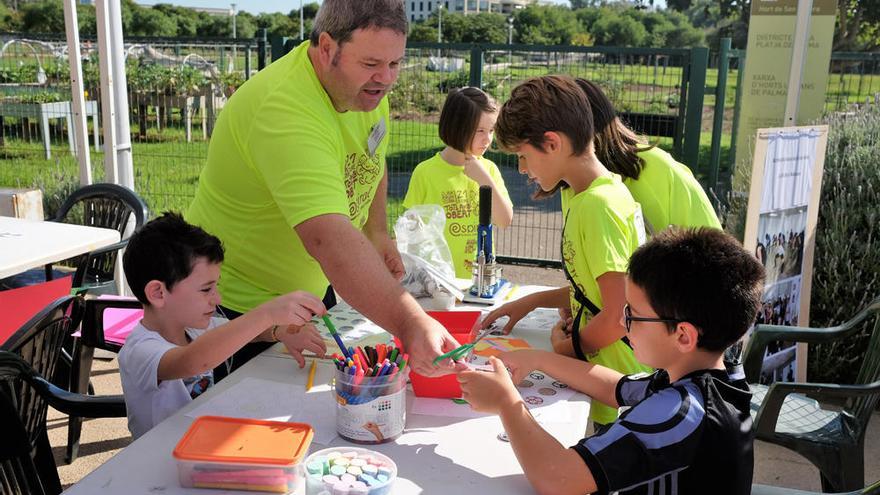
x=91, y=338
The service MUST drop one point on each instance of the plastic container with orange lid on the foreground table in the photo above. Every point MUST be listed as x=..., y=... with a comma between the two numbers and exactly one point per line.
x=243, y=454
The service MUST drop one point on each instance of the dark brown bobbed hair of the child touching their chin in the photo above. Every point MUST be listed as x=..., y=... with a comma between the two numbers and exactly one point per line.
x=461, y=115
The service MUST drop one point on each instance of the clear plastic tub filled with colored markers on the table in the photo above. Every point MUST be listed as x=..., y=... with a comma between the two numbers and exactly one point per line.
x=370, y=392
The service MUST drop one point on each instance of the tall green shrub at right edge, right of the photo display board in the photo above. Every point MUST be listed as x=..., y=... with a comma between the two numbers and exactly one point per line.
x=847, y=263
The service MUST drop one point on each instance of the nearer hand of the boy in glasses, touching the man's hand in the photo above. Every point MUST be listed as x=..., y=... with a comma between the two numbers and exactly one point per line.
x=489, y=391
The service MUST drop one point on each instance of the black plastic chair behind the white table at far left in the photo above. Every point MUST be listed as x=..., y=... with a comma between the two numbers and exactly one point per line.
x=100, y=205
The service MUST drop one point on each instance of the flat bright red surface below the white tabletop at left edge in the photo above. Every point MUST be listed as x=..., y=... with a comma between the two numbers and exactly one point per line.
x=17, y=306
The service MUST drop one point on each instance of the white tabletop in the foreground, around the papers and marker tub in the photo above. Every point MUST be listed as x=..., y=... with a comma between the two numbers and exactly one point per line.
x=433, y=455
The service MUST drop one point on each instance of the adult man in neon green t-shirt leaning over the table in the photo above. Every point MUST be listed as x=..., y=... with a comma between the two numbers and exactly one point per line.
x=295, y=182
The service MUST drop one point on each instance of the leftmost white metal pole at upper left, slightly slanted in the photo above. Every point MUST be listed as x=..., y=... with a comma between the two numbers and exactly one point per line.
x=78, y=120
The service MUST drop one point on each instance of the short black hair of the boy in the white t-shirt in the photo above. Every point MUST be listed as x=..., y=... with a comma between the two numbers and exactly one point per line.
x=166, y=249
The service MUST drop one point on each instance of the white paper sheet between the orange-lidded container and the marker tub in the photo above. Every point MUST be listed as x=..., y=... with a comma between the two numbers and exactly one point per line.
x=255, y=398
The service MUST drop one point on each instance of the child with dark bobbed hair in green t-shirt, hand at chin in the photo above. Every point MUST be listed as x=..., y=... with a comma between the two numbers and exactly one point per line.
x=452, y=178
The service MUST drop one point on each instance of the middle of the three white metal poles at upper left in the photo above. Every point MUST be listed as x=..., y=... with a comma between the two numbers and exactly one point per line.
x=108, y=113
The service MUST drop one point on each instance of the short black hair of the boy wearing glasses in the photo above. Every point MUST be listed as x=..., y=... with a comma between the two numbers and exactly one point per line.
x=702, y=276
